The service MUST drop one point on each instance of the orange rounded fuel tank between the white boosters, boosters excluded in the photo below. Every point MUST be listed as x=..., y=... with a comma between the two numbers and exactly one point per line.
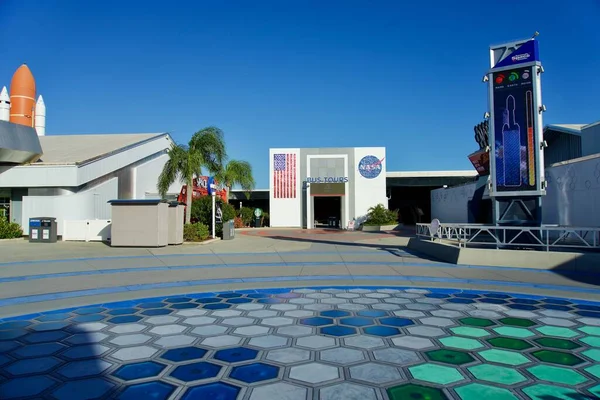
x=22, y=97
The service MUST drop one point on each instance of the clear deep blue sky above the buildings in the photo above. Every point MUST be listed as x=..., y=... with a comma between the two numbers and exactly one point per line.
x=401, y=74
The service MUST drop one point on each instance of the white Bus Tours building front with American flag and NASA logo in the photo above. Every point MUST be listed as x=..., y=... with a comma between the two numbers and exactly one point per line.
x=310, y=187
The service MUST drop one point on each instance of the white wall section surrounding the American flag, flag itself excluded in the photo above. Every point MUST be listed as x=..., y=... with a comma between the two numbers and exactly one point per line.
x=285, y=213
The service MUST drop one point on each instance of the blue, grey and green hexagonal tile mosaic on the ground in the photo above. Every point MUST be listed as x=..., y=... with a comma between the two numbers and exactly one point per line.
x=325, y=343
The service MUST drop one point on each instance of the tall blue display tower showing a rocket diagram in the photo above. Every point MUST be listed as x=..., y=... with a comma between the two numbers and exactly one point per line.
x=516, y=140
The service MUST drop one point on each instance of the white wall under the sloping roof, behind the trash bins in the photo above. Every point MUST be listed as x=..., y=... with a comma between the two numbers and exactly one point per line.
x=89, y=204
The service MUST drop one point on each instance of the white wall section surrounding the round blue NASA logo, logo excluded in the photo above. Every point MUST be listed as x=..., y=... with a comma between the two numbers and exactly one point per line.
x=368, y=192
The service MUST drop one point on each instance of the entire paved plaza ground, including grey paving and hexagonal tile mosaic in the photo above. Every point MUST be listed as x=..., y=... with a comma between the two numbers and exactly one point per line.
x=289, y=315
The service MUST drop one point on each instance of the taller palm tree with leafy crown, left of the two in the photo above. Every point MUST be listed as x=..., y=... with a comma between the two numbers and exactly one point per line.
x=206, y=149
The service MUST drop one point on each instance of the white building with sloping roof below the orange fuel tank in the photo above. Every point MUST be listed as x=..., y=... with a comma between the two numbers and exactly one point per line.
x=78, y=174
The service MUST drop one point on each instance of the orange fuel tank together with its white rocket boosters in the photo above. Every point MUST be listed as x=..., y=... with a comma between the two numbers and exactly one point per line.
x=21, y=107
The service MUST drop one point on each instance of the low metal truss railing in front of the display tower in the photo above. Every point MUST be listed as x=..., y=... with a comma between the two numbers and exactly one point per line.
x=546, y=237
